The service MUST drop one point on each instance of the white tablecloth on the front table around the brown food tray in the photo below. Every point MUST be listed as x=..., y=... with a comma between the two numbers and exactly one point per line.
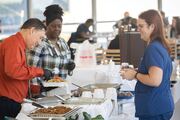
x=105, y=109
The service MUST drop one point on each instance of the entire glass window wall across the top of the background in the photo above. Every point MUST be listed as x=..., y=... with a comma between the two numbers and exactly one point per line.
x=14, y=12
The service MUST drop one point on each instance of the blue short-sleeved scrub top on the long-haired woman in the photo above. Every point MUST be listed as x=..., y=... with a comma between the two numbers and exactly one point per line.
x=152, y=101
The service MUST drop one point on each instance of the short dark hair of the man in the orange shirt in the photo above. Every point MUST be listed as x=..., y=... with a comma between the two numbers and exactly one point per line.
x=33, y=22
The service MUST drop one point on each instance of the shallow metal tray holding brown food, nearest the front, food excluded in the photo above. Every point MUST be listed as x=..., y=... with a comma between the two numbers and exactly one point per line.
x=44, y=115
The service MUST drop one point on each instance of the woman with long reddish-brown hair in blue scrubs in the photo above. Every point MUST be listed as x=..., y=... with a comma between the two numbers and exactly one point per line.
x=153, y=98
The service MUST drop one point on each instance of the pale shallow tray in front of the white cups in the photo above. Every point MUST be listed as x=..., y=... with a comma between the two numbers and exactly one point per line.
x=84, y=101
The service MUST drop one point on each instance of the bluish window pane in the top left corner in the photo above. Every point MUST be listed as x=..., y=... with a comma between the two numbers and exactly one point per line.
x=12, y=15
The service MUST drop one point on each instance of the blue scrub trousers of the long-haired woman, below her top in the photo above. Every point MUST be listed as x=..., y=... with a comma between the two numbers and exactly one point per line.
x=166, y=116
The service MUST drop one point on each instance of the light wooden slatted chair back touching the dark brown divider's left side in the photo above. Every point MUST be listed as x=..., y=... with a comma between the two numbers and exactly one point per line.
x=113, y=54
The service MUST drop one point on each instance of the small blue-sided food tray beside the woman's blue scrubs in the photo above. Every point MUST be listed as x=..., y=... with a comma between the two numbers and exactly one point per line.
x=125, y=95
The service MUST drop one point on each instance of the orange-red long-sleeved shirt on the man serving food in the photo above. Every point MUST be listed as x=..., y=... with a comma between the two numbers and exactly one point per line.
x=14, y=72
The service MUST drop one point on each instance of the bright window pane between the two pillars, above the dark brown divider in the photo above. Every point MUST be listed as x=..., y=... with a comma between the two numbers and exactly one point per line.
x=113, y=10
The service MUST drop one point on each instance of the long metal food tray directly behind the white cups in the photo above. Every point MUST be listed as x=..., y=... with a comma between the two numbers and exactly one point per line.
x=91, y=87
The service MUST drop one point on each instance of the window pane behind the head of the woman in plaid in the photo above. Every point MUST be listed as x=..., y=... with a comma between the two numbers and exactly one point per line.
x=75, y=11
